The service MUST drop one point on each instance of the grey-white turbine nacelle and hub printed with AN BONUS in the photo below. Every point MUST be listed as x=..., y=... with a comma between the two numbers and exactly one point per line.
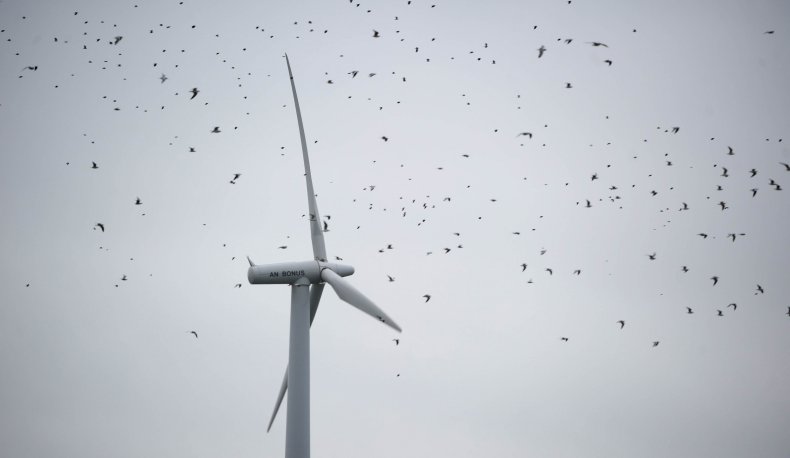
x=288, y=272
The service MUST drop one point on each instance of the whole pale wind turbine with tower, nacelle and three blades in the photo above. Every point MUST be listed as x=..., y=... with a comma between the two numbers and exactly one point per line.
x=307, y=280
